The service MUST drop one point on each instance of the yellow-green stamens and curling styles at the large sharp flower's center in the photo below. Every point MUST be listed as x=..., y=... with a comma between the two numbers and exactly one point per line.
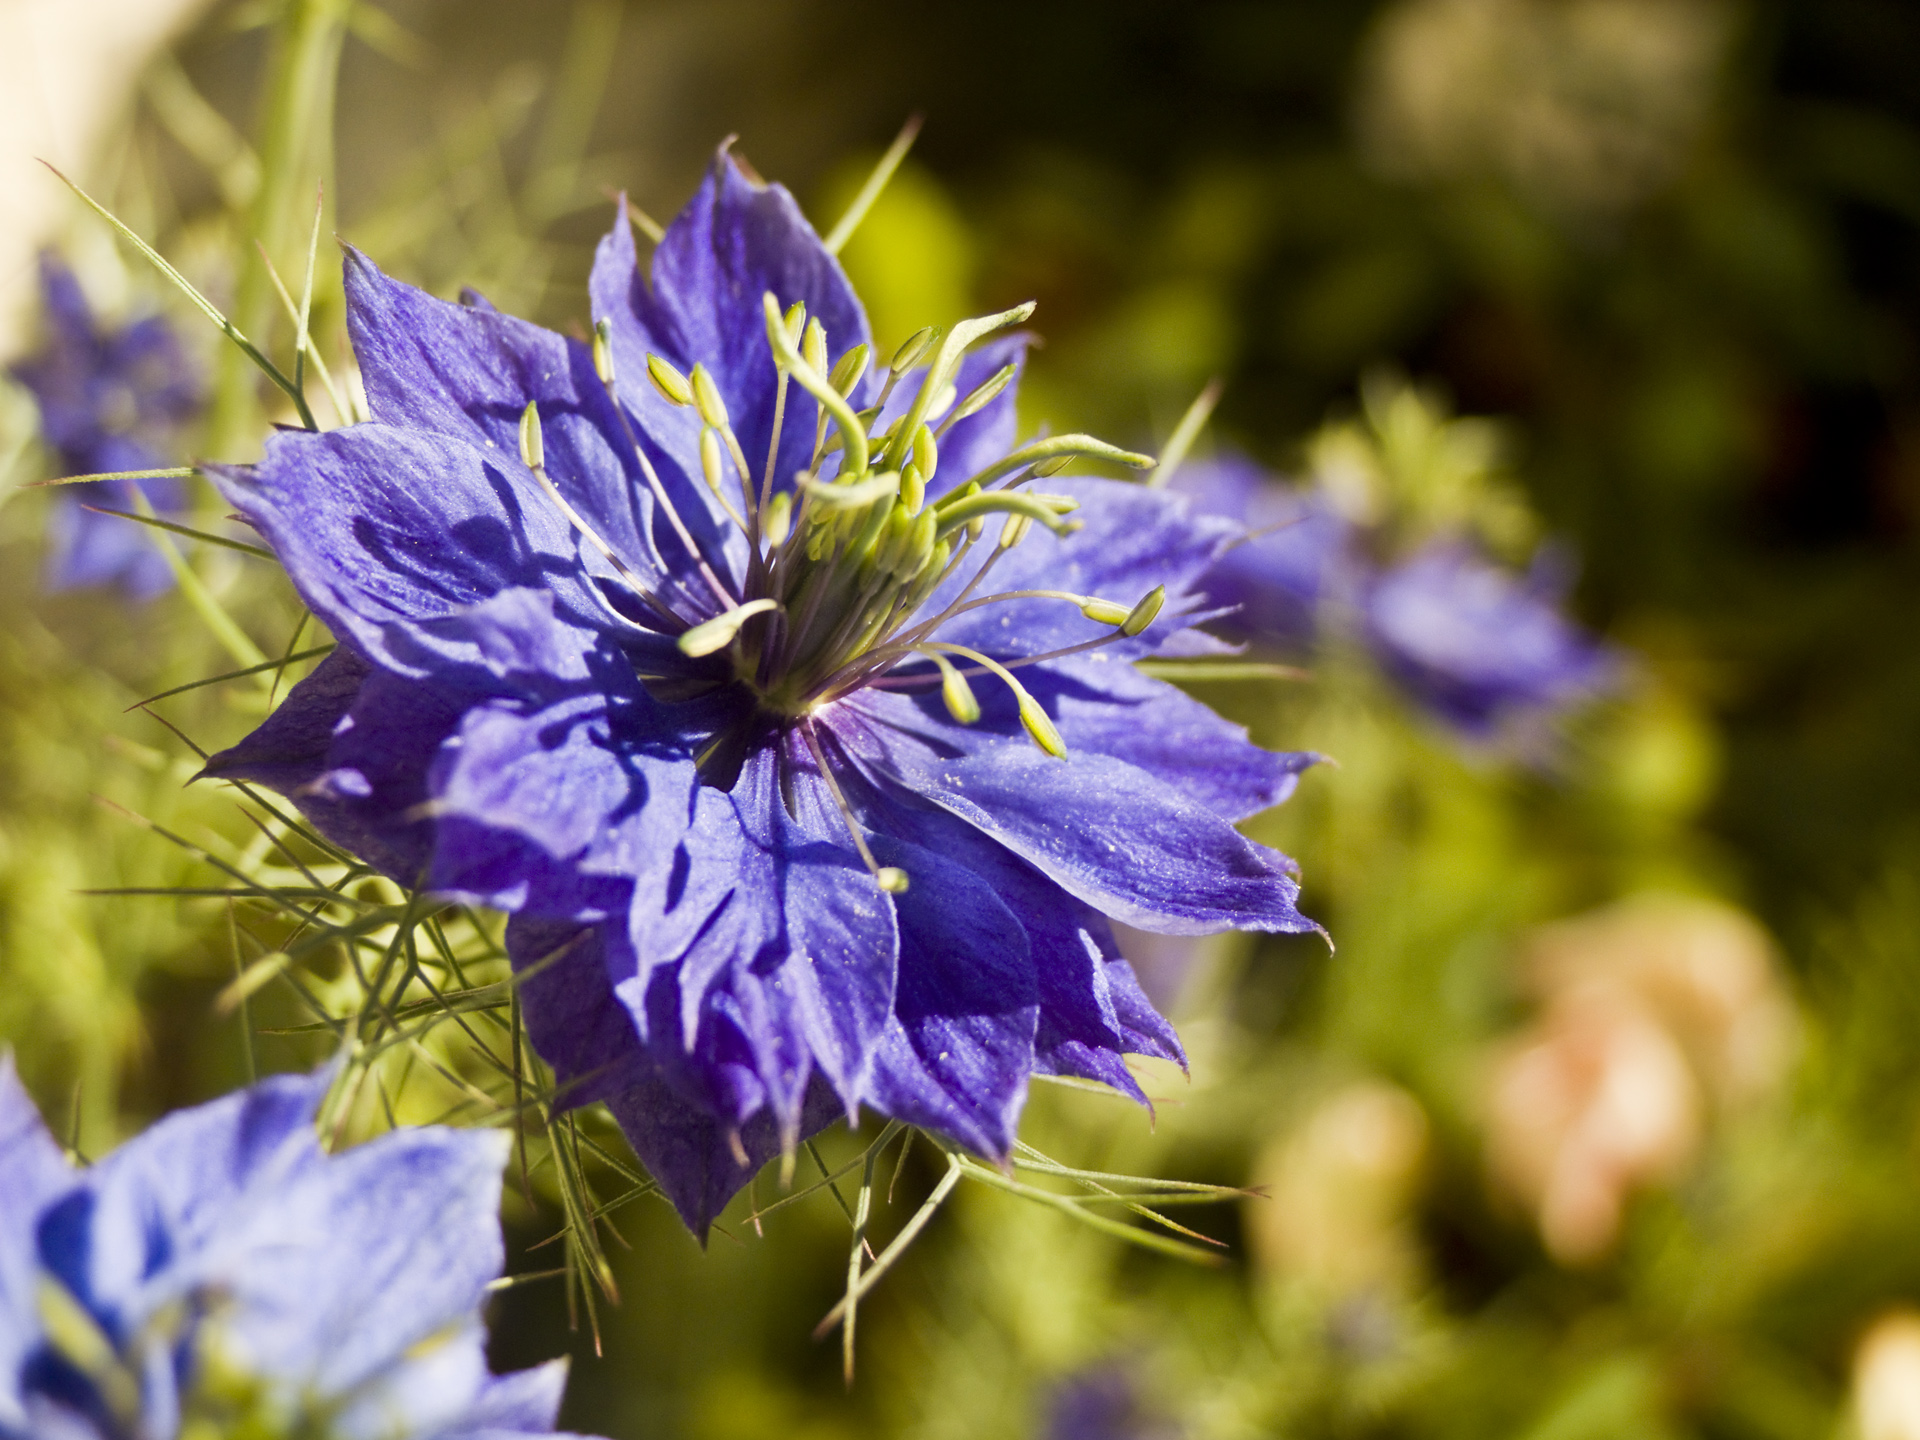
x=846, y=556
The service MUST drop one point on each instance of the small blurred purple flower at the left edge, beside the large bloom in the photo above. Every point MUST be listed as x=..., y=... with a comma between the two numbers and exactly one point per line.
x=108, y=402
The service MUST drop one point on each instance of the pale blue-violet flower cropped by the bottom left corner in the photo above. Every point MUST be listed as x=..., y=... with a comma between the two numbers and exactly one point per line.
x=222, y=1276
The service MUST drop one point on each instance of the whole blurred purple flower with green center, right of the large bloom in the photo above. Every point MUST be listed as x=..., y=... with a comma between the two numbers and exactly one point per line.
x=1391, y=550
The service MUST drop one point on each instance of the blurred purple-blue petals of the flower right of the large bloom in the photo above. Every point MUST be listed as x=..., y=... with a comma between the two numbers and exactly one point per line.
x=1481, y=648
